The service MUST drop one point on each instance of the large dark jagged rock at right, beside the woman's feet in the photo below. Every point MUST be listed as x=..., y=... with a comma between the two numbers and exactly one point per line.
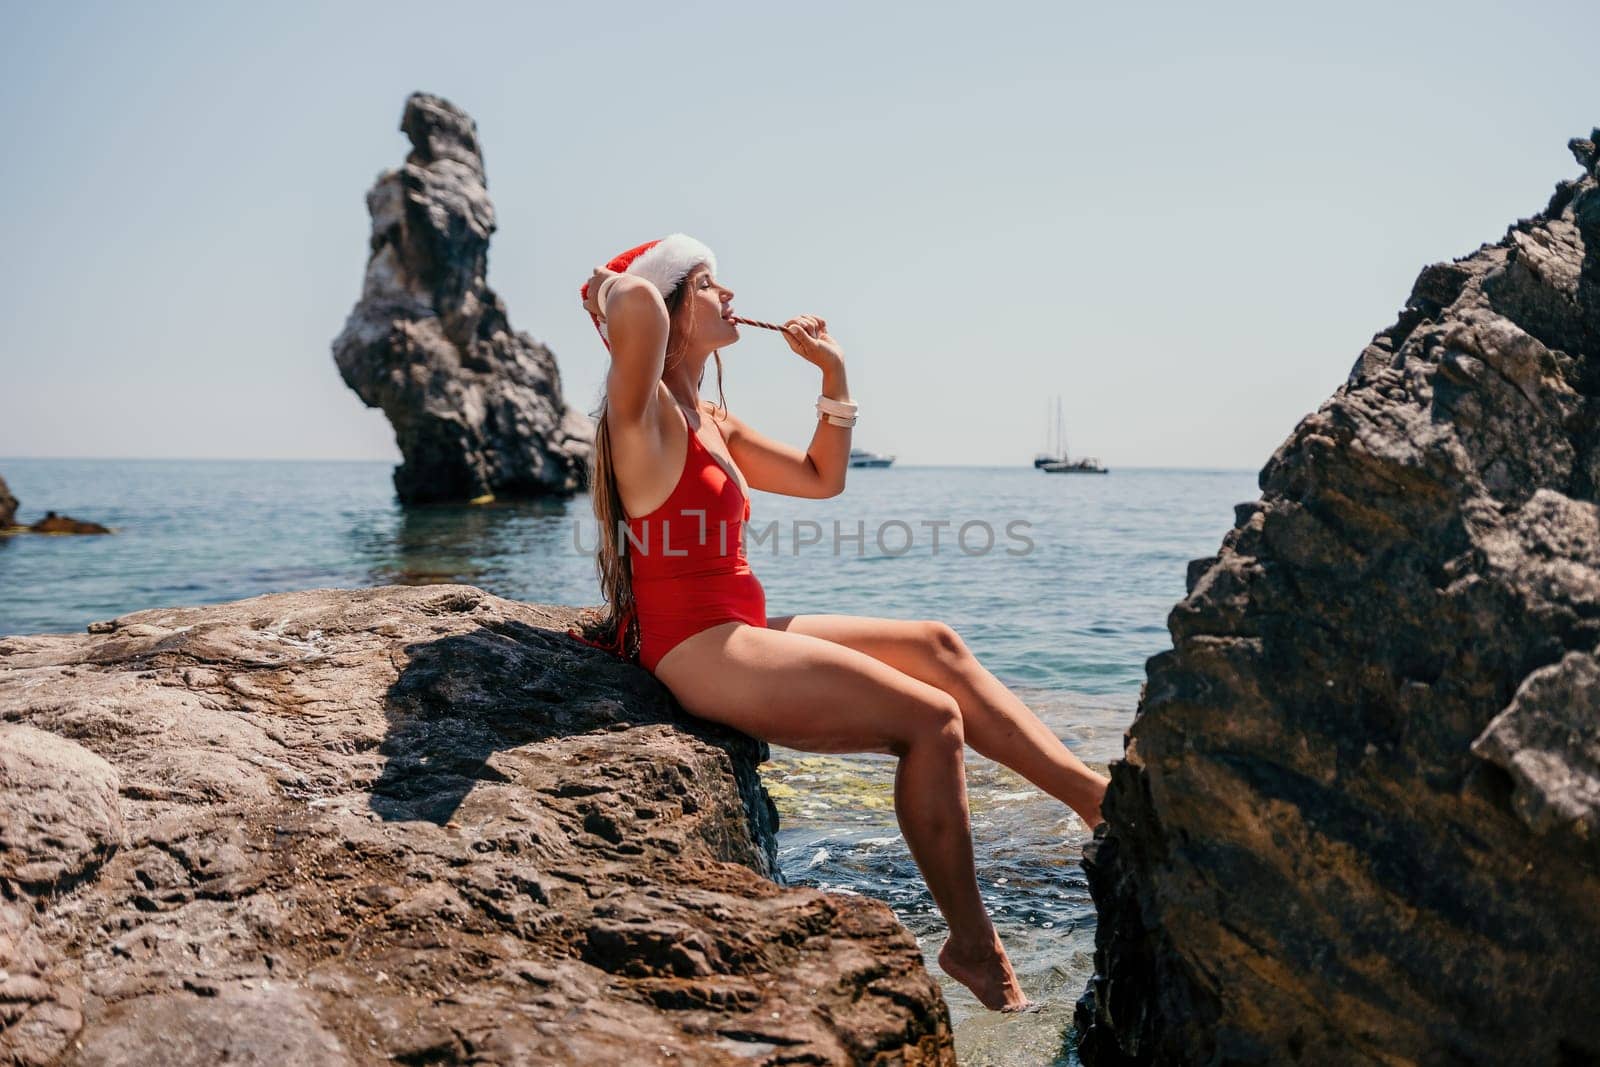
x=1356, y=818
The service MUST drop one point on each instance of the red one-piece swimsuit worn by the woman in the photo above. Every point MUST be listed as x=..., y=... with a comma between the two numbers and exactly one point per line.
x=687, y=559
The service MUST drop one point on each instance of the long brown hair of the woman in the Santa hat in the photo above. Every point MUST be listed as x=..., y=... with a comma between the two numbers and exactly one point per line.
x=612, y=565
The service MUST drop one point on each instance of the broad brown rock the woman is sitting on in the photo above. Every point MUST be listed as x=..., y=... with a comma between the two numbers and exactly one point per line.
x=407, y=825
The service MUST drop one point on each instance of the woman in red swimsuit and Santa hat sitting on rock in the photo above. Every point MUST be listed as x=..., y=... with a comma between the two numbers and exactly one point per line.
x=674, y=473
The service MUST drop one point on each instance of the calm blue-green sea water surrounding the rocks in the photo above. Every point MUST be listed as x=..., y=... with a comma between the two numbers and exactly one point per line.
x=1058, y=583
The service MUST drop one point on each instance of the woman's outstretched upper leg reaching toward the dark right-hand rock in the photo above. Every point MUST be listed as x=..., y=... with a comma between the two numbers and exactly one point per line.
x=998, y=724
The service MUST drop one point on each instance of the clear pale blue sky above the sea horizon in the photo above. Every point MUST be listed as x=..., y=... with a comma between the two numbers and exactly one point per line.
x=1185, y=218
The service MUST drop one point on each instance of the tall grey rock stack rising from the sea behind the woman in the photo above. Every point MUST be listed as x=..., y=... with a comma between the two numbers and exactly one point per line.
x=478, y=409
